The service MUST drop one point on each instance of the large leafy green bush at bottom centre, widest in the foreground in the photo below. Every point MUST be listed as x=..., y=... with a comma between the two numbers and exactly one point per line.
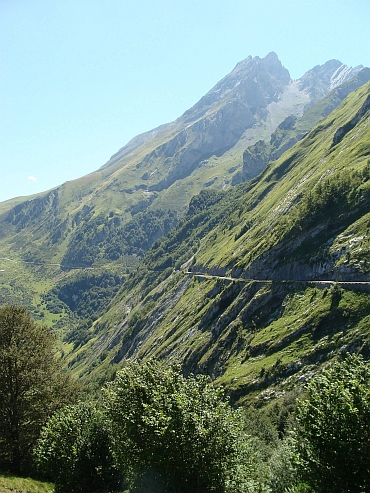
x=178, y=433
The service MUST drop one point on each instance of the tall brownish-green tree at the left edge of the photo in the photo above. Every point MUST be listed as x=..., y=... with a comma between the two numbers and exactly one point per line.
x=32, y=385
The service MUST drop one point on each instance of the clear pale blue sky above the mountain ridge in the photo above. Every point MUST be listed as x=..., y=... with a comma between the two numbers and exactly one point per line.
x=80, y=78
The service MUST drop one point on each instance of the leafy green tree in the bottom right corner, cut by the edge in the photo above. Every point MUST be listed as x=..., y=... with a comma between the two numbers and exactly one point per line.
x=333, y=432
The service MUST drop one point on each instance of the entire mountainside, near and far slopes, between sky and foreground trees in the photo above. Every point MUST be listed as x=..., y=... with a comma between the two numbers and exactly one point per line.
x=211, y=240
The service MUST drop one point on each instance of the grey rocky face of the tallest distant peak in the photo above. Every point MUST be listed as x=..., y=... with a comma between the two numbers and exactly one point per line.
x=218, y=121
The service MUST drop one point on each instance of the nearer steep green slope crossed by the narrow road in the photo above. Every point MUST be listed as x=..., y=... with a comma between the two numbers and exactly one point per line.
x=241, y=288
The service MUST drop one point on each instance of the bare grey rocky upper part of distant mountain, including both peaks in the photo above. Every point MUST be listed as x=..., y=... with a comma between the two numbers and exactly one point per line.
x=250, y=101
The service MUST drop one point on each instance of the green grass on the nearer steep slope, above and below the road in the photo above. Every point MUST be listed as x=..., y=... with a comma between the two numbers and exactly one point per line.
x=272, y=336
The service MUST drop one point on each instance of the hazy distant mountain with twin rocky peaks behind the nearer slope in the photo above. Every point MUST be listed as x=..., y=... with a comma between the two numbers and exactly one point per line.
x=108, y=219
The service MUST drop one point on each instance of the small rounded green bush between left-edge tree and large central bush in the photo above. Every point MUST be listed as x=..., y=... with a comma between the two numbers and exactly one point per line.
x=74, y=450
